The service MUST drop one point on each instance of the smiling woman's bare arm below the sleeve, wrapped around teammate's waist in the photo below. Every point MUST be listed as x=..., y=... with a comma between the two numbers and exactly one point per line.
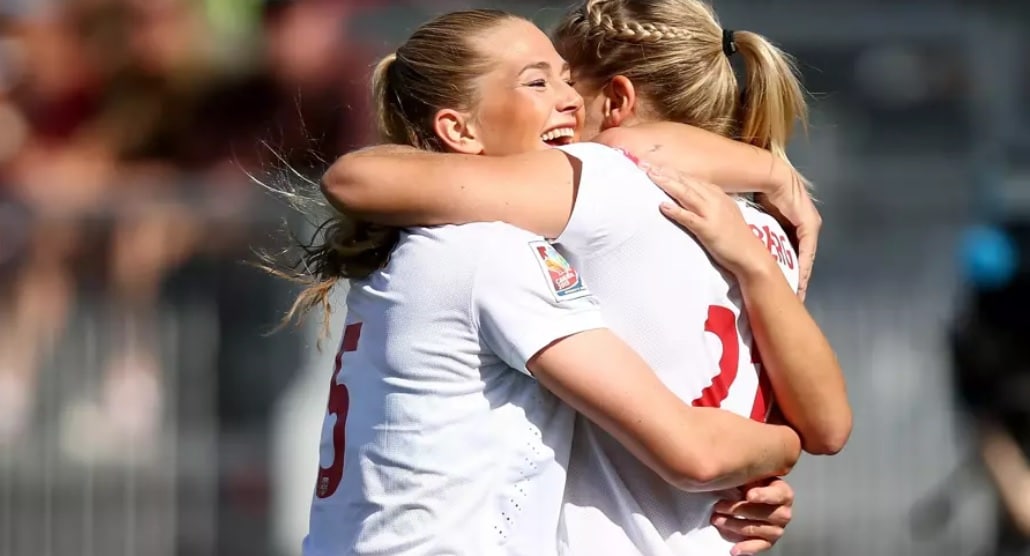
x=697, y=449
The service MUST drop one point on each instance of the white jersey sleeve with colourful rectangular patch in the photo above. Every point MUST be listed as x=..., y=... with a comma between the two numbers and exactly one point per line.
x=526, y=296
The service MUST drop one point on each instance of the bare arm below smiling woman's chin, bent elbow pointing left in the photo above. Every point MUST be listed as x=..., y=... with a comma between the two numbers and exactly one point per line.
x=399, y=186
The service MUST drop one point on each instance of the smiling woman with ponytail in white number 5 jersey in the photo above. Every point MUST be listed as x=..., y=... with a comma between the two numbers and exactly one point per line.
x=469, y=350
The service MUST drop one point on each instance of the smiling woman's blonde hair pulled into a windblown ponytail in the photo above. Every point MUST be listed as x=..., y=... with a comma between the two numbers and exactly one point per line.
x=436, y=68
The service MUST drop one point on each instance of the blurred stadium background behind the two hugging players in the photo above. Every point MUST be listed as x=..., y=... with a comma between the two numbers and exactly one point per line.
x=146, y=411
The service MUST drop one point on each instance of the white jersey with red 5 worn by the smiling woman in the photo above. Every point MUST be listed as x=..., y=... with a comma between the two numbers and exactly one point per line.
x=437, y=440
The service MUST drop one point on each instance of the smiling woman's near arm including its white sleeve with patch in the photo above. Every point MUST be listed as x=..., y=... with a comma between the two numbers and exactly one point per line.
x=531, y=309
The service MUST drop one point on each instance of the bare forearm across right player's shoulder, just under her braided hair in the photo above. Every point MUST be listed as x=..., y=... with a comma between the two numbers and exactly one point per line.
x=734, y=166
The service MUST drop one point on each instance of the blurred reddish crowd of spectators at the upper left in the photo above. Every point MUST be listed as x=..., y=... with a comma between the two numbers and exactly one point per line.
x=128, y=131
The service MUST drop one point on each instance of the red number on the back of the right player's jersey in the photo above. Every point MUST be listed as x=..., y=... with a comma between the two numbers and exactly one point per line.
x=723, y=323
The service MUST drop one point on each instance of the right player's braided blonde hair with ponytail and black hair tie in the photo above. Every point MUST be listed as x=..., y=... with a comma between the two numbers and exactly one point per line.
x=673, y=52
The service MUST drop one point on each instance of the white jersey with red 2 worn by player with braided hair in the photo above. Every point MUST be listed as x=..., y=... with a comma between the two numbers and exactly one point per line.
x=664, y=296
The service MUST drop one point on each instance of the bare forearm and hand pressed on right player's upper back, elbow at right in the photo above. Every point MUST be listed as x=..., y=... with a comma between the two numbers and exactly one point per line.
x=802, y=367
